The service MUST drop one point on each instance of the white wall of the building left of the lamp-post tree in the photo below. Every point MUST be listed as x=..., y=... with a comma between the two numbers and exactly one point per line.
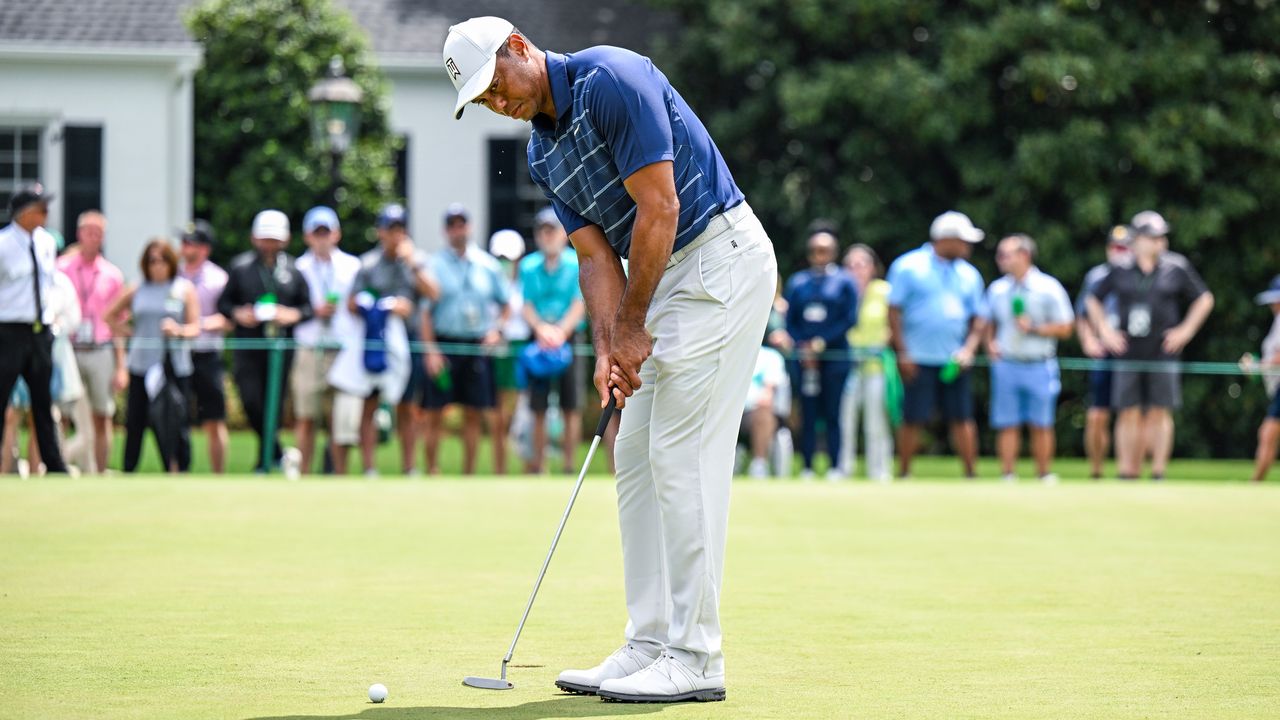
x=145, y=110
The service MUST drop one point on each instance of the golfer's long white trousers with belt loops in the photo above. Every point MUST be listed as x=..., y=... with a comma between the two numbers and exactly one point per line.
x=676, y=440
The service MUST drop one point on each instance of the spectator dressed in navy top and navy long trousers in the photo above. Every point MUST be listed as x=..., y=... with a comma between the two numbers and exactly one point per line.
x=822, y=307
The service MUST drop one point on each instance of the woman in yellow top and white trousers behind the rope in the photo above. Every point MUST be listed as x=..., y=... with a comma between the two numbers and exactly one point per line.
x=865, y=390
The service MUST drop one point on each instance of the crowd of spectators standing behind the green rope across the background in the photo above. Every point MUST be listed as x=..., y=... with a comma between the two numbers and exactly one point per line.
x=397, y=336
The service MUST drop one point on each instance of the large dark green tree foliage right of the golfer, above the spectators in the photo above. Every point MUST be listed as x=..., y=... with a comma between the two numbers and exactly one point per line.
x=1055, y=119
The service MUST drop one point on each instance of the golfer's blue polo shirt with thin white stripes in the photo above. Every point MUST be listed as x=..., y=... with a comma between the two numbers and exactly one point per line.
x=618, y=113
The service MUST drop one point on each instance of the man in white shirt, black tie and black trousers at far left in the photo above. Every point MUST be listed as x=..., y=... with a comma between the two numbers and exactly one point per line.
x=29, y=258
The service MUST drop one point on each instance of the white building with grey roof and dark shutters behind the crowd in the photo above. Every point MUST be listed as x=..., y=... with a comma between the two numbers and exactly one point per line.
x=97, y=103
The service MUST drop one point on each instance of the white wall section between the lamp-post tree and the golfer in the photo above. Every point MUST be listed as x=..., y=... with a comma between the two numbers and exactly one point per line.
x=449, y=160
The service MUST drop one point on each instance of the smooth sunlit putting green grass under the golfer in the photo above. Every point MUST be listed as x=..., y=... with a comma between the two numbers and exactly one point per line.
x=198, y=598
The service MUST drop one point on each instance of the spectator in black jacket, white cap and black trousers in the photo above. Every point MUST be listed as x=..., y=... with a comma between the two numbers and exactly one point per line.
x=266, y=298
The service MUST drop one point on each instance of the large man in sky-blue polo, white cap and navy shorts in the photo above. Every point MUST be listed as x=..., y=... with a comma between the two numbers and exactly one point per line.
x=936, y=323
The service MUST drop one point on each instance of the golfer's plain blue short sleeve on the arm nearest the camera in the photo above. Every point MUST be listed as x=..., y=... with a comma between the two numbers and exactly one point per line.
x=629, y=108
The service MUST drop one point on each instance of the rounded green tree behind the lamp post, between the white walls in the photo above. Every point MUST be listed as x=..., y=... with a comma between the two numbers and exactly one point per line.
x=253, y=138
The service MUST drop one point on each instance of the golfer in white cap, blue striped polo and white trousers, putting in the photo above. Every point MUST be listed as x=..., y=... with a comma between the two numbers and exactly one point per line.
x=633, y=175
